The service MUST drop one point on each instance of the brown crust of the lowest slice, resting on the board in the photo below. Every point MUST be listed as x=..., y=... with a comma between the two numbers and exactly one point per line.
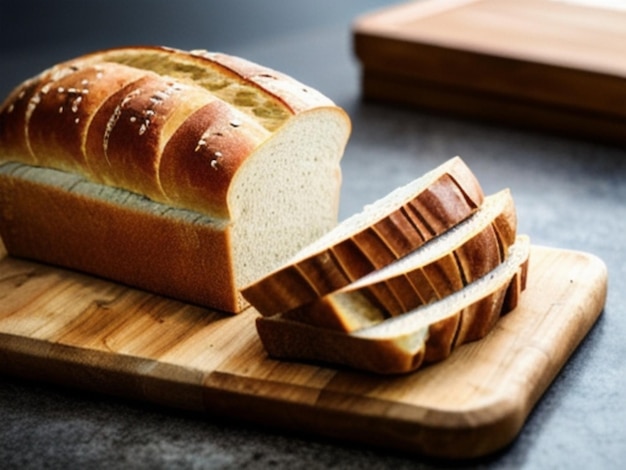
x=291, y=340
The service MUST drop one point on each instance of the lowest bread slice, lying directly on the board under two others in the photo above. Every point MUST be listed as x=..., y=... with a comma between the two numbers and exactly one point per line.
x=404, y=343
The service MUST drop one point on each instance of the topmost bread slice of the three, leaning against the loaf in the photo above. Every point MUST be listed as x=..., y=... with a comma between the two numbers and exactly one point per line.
x=383, y=232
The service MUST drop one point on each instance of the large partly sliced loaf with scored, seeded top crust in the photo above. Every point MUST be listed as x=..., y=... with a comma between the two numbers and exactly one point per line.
x=188, y=174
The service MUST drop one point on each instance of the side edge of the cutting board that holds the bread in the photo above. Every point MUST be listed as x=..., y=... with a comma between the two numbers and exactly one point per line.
x=382, y=423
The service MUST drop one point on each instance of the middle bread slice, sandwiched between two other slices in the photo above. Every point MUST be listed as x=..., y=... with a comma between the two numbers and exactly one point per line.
x=439, y=268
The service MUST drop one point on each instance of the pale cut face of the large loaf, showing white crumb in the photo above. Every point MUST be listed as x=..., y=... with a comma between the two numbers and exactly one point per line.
x=278, y=194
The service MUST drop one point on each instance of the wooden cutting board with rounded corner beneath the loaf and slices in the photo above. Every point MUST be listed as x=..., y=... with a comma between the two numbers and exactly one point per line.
x=68, y=328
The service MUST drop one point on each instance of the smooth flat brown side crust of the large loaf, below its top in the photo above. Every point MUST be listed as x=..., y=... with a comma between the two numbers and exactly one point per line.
x=117, y=242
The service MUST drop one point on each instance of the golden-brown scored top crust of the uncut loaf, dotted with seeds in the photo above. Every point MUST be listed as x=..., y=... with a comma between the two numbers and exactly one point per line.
x=172, y=125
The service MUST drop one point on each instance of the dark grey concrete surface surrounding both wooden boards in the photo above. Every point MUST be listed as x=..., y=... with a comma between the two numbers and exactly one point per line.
x=570, y=194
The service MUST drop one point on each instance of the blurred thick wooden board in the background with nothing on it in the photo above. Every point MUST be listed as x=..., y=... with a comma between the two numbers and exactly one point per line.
x=556, y=65
